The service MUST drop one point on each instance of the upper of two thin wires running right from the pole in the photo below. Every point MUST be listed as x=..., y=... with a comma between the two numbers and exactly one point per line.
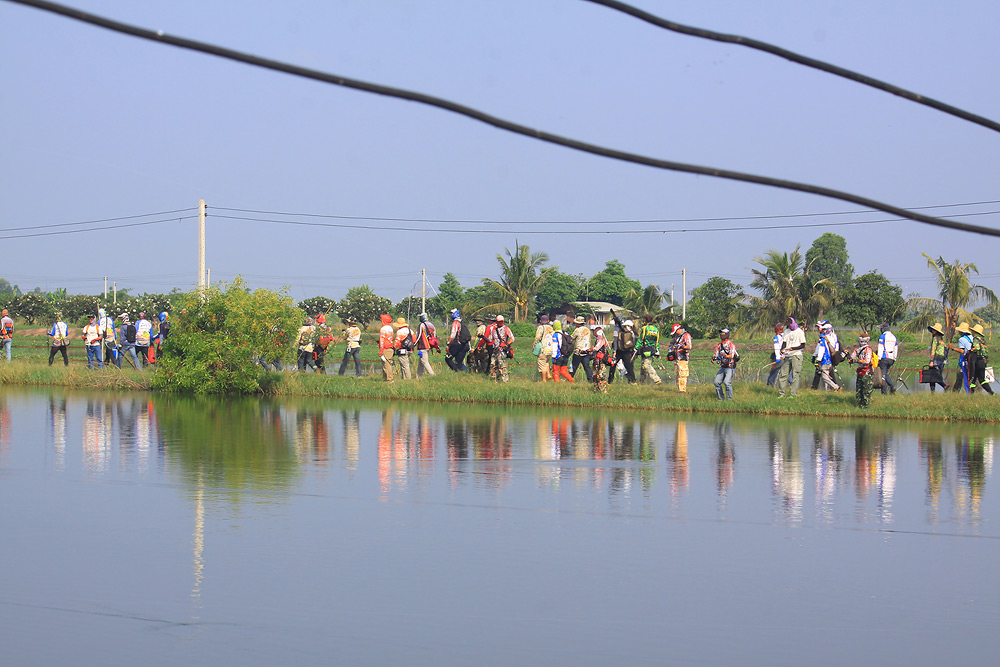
x=594, y=222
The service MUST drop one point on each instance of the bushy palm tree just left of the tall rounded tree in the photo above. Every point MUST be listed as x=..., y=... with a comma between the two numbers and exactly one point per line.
x=786, y=289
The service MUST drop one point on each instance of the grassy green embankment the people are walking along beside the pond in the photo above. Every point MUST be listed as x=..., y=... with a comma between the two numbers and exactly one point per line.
x=752, y=397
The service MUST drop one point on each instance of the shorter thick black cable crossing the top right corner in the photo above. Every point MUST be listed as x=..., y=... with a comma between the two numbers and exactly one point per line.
x=801, y=60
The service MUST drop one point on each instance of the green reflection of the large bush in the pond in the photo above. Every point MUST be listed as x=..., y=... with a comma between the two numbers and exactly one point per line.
x=228, y=443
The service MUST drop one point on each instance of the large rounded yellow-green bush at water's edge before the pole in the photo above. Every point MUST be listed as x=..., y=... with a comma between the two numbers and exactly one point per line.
x=216, y=336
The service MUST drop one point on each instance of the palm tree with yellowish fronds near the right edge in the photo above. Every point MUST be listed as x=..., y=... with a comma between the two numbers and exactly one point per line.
x=956, y=294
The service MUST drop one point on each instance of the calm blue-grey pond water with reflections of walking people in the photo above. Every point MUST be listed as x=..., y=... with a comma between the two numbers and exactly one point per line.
x=144, y=529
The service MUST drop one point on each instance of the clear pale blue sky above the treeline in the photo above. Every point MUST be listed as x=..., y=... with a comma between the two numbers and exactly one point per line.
x=99, y=125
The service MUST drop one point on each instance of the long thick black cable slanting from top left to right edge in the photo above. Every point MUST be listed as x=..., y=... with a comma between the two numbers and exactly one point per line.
x=388, y=91
